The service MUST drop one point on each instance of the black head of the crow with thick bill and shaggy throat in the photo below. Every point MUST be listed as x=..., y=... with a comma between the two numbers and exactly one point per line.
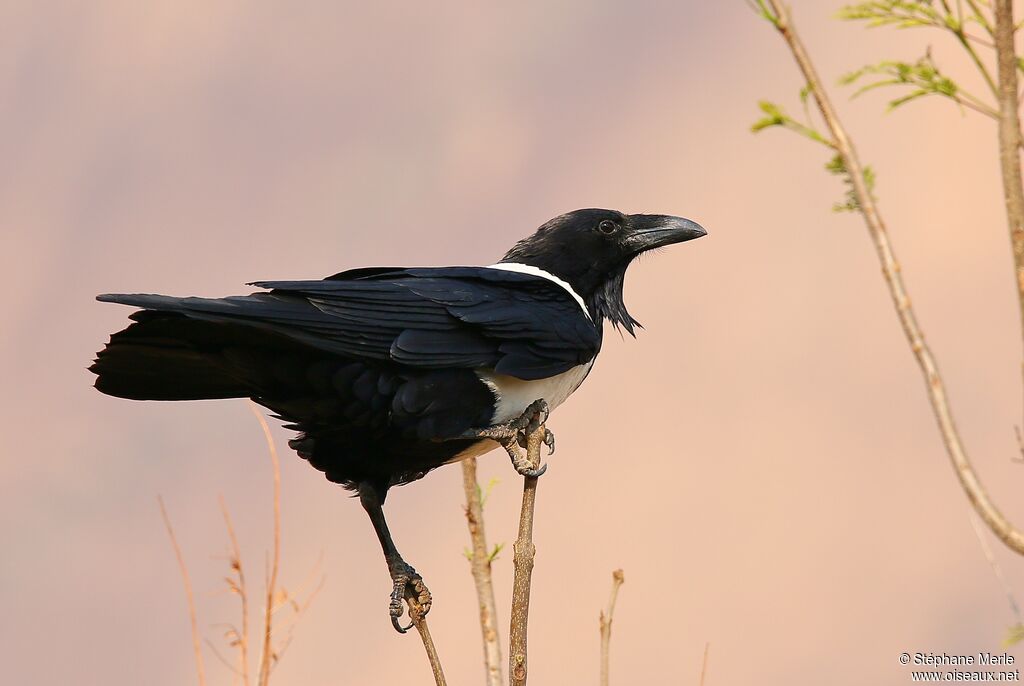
x=590, y=250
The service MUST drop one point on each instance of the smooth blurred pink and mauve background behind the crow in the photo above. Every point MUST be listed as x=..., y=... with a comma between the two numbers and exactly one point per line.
x=761, y=461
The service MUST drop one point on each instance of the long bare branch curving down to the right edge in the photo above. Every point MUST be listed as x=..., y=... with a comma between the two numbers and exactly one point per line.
x=976, y=493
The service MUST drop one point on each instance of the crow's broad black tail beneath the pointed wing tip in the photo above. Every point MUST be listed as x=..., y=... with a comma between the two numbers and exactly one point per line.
x=169, y=357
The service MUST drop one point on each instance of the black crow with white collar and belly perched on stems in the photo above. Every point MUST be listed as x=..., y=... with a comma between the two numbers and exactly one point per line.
x=389, y=373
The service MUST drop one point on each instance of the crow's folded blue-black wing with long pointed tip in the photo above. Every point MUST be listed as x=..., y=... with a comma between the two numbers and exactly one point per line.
x=521, y=325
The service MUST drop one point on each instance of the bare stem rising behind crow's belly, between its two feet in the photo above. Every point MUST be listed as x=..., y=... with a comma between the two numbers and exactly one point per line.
x=481, y=567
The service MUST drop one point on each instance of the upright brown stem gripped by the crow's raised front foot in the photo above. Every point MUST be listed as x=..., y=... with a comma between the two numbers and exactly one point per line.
x=525, y=551
